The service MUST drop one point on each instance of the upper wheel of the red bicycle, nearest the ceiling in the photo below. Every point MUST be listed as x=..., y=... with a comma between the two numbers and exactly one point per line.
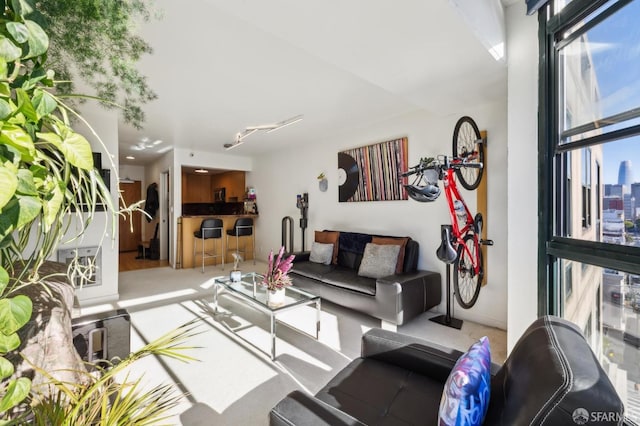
x=466, y=146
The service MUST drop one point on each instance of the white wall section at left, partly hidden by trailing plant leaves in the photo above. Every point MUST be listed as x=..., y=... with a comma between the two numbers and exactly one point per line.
x=100, y=231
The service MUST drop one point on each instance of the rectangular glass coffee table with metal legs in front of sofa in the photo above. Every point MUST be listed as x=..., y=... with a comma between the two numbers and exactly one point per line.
x=249, y=291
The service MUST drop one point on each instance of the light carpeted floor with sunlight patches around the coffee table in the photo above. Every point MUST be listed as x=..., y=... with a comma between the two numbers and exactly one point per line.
x=234, y=381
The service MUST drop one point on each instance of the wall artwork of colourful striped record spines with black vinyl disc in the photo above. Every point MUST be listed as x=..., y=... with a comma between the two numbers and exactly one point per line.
x=372, y=172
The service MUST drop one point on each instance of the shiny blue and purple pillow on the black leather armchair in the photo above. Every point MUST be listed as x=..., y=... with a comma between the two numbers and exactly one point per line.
x=465, y=397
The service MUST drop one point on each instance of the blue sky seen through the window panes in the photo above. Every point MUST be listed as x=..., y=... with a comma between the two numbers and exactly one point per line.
x=615, y=51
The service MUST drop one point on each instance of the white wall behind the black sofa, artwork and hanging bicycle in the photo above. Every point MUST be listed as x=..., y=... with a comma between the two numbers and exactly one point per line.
x=279, y=176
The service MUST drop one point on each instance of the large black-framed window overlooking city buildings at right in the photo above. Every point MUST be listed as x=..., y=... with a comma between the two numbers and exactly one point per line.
x=589, y=150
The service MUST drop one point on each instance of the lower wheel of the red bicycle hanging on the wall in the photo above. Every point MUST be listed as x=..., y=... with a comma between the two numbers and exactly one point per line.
x=466, y=283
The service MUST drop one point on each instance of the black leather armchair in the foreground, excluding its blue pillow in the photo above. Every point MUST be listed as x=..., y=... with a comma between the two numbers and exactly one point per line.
x=550, y=373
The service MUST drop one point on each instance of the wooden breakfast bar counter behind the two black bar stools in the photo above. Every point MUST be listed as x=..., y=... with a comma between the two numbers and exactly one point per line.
x=190, y=224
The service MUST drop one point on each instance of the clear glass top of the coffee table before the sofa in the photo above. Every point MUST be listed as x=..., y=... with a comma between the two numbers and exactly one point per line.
x=249, y=286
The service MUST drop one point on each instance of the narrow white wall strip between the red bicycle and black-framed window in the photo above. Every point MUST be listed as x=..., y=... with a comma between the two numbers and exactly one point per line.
x=522, y=107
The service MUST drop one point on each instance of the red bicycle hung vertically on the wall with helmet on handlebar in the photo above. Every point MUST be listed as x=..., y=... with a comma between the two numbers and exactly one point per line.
x=461, y=239
